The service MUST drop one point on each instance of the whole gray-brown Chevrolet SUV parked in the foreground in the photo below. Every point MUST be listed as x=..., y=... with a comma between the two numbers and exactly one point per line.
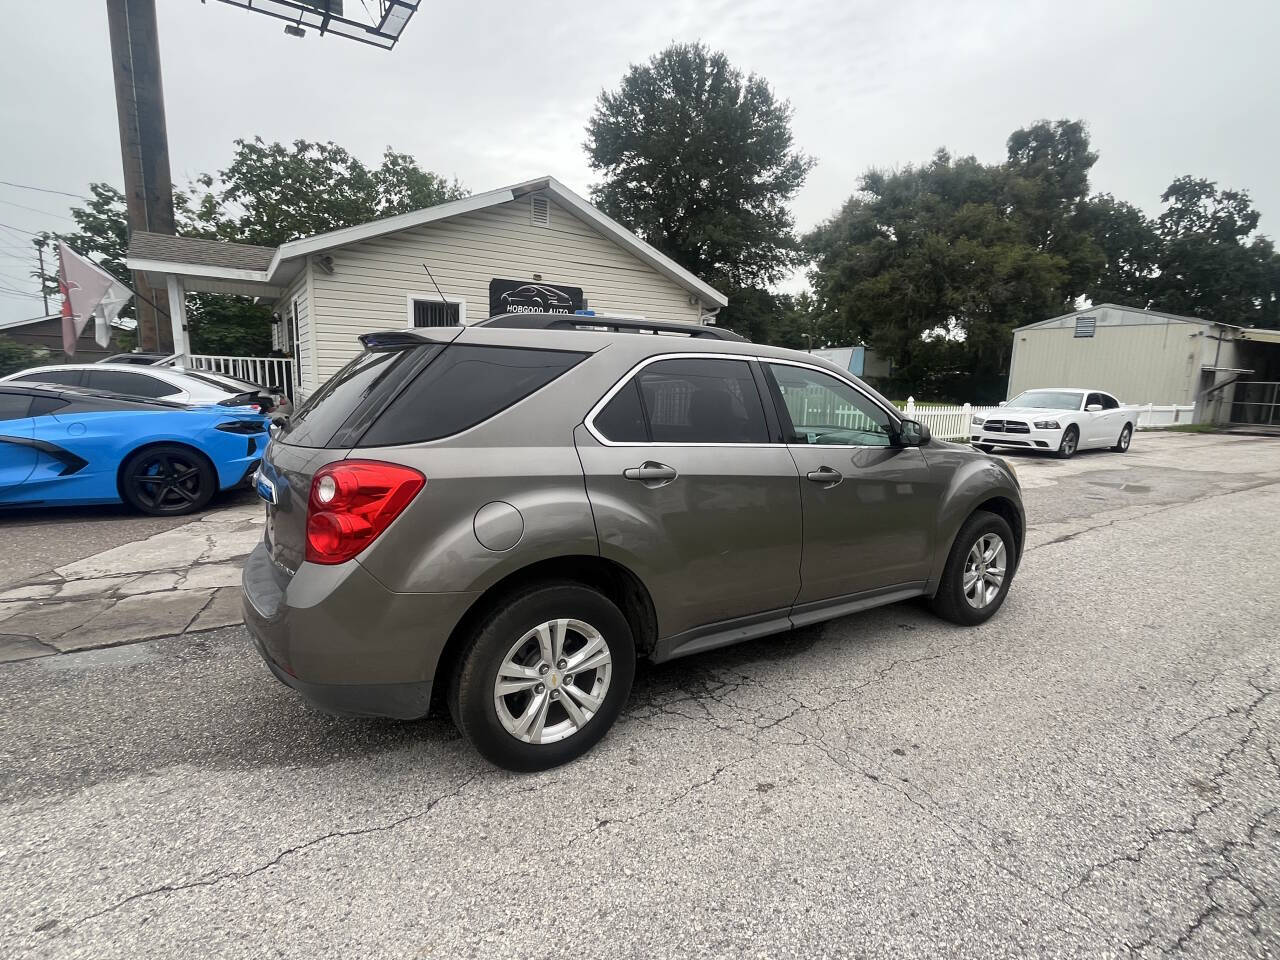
x=513, y=513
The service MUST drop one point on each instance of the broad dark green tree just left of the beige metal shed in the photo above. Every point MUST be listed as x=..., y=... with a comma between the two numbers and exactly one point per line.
x=939, y=263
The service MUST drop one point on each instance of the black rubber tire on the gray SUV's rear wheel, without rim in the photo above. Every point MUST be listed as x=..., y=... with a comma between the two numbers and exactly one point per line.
x=473, y=687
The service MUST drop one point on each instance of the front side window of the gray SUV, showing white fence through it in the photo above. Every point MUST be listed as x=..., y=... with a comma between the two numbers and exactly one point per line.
x=826, y=410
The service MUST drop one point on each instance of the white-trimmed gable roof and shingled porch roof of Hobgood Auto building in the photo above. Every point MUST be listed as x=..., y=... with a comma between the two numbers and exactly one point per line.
x=149, y=252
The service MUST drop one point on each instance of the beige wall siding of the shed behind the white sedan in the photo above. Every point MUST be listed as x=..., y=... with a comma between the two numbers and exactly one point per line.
x=1139, y=358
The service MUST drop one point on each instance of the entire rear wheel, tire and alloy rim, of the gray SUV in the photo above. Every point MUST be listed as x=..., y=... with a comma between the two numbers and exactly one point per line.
x=543, y=678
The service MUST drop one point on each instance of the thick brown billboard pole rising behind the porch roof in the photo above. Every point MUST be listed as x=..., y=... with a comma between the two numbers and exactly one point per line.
x=144, y=145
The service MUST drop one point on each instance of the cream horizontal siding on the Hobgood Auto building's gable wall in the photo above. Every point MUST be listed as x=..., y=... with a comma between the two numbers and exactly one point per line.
x=372, y=281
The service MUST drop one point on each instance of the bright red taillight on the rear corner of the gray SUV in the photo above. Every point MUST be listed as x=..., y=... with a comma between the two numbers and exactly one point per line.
x=353, y=502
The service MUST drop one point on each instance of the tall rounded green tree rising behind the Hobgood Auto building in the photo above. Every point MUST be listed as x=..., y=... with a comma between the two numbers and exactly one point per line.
x=700, y=161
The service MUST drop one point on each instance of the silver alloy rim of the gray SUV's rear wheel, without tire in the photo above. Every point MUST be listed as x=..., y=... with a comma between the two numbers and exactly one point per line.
x=552, y=682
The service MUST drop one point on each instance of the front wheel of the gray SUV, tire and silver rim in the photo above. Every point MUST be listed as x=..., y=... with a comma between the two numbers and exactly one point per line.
x=979, y=573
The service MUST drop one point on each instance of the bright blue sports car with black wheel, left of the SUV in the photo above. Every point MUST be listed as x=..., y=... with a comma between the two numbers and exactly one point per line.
x=76, y=446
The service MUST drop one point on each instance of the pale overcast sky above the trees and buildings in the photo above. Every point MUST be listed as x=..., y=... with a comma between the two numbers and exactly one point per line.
x=499, y=92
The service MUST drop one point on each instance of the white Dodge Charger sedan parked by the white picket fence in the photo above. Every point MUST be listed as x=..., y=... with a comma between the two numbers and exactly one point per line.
x=1062, y=420
